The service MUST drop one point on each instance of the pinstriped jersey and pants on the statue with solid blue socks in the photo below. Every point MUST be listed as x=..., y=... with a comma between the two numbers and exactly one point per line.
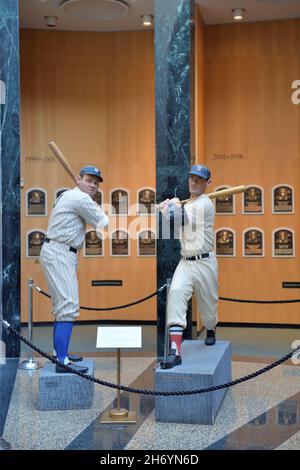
x=67, y=227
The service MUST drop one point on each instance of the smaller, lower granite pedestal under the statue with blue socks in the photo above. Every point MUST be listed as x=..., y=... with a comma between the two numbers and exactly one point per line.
x=65, y=391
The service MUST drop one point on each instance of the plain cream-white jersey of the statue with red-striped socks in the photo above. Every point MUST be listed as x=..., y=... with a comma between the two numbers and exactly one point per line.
x=197, y=236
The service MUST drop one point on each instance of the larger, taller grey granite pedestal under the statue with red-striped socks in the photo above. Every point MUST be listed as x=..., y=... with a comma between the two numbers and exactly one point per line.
x=202, y=366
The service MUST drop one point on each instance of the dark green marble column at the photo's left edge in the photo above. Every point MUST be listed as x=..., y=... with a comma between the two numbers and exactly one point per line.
x=10, y=170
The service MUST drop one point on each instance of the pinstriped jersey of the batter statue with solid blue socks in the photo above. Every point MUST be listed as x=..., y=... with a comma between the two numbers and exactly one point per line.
x=69, y=216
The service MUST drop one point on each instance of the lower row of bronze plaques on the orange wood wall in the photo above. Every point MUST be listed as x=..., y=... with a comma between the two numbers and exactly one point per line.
x=225, y=243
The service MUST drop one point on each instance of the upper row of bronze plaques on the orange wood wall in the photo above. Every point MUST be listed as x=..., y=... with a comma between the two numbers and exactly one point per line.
x=253, y=201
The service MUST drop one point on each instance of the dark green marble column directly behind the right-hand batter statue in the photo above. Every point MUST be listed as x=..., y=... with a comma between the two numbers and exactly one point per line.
x=174, y=59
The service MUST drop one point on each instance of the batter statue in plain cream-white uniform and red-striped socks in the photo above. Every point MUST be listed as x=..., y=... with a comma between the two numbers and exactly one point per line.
x=197, y=271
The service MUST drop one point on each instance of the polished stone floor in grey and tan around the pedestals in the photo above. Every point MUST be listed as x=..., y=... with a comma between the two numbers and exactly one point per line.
x=263, y=413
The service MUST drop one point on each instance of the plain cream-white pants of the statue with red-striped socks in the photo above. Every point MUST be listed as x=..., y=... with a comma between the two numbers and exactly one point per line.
x=201, y=278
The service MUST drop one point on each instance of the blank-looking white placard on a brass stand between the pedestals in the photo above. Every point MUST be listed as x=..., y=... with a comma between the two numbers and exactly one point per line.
x=119, y=337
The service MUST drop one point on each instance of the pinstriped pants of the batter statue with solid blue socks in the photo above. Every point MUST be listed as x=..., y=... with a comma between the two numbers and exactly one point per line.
x=59, y=266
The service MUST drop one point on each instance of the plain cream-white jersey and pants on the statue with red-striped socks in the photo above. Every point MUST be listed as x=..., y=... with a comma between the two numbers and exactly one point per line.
x=199, y=276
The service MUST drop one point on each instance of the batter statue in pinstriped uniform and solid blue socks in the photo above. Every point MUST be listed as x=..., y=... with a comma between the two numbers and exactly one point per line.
x=65, y=236
